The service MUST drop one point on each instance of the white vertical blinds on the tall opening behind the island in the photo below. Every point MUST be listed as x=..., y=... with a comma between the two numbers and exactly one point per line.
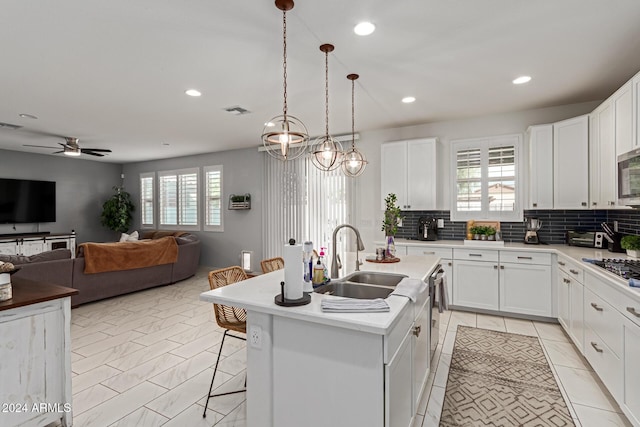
x=304, y=203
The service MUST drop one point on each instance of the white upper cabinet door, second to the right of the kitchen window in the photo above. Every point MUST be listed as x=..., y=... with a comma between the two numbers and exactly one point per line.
x=571, y=163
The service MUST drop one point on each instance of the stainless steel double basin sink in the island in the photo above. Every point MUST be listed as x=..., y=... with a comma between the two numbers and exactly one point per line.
x=362, y=285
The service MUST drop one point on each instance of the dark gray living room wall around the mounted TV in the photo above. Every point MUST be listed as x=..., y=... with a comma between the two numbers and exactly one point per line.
x=82, y=186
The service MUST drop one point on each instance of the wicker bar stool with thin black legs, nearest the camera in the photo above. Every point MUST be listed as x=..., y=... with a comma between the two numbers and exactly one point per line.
x=230, y=318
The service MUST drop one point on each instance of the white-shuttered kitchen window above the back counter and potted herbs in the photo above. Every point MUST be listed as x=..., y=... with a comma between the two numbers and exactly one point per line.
x=486, y=182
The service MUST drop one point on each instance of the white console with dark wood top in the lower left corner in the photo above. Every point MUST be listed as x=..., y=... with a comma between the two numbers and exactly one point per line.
x=35, y=355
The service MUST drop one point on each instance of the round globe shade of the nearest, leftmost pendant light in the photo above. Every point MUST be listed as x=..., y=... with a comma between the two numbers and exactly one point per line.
x=285, y=137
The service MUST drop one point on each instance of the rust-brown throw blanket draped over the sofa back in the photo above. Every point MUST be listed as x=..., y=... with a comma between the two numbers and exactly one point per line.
x=101, y=257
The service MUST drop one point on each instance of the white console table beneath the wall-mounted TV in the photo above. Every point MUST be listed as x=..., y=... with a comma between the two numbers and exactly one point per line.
x=35, y=243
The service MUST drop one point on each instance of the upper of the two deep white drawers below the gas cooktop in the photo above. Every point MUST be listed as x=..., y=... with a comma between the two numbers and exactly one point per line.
x=604, y=320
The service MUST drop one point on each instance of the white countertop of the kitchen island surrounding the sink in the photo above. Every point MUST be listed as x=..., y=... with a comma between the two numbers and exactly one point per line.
x=257, y=294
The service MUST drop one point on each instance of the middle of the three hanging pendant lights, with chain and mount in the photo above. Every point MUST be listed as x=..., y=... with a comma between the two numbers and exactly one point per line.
x=327, y=152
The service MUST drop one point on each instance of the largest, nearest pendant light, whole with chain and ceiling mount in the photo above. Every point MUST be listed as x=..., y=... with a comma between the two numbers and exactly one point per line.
x=285, y=137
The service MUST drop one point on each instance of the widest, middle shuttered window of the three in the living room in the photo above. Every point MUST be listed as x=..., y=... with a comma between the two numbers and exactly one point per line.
x=178, y=198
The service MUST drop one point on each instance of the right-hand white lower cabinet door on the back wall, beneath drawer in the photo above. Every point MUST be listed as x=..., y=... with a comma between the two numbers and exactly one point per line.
x=525, y=289
